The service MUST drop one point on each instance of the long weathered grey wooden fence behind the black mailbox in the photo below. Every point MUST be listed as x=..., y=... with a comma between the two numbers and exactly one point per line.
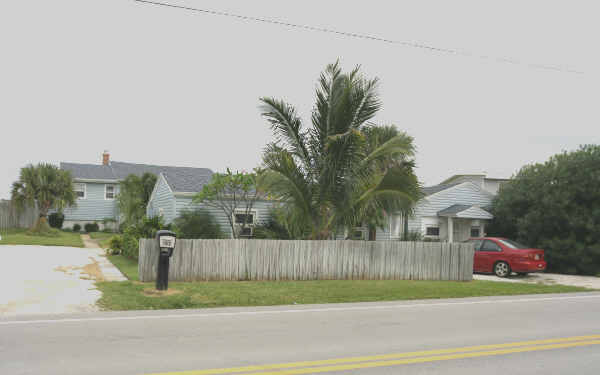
x=205, y=260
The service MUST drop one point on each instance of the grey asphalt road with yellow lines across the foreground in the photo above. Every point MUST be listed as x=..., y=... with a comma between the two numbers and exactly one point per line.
x=544, y=334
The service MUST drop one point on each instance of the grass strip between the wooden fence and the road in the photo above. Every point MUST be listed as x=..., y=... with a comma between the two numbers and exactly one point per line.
x=133, y=295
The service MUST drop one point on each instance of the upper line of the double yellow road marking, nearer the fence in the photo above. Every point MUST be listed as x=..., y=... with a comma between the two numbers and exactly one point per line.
x=235, y=370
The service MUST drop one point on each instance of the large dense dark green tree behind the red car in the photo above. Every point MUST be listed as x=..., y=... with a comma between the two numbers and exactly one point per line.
x=555, y=206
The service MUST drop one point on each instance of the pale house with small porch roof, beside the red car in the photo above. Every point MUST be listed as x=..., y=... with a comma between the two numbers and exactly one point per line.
x=450, y=212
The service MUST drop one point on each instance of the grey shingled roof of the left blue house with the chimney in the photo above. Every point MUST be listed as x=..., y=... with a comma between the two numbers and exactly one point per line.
x=180, y=179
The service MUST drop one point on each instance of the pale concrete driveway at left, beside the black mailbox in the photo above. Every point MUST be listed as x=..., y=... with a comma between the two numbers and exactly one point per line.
x=51, y=279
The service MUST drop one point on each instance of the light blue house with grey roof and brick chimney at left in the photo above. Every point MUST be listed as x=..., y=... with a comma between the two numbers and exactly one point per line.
x=97, y=186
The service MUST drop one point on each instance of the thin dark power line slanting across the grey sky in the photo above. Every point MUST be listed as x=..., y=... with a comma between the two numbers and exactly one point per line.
x=364, y=36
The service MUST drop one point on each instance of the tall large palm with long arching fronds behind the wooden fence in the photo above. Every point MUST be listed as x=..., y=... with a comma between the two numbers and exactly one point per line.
x=343, y=170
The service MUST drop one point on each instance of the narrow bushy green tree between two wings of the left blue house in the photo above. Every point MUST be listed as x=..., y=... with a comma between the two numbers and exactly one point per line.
x=134, y=196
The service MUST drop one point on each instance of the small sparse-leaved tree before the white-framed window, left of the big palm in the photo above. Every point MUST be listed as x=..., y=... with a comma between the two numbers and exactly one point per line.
x=234, y=194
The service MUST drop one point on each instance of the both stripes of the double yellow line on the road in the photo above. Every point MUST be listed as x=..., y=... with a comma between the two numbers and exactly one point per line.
x=353, y=363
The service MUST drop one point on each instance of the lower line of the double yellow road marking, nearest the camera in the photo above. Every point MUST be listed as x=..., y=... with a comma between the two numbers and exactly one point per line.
x=313, y=370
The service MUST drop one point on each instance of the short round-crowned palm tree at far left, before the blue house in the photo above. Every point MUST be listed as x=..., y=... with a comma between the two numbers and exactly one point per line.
x=45, y=186
